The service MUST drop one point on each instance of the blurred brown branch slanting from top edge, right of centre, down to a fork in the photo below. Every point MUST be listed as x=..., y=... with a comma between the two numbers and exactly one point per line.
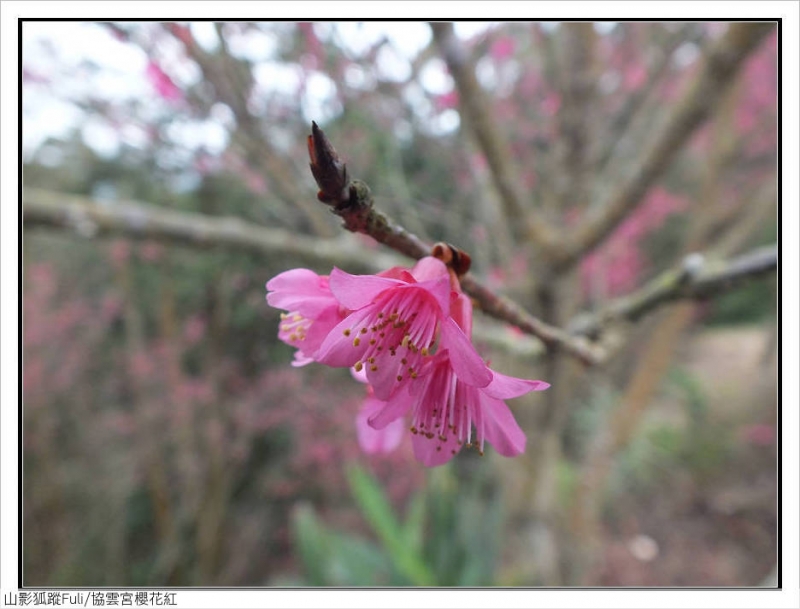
x=478, y=117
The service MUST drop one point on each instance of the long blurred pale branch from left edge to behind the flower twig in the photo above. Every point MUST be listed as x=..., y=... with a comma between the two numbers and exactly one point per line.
x=140, y=221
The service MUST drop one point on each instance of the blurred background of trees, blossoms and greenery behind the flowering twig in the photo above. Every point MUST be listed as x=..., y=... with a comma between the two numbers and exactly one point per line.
x=167, y=440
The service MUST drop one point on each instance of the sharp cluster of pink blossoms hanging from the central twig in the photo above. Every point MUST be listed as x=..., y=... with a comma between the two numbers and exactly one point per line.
x=406, y=333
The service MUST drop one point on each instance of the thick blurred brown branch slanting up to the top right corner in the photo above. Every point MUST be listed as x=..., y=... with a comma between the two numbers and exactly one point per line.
x=716, y=74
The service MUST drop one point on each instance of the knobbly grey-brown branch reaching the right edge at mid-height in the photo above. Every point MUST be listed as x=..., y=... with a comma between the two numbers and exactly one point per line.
x=694, y=278
